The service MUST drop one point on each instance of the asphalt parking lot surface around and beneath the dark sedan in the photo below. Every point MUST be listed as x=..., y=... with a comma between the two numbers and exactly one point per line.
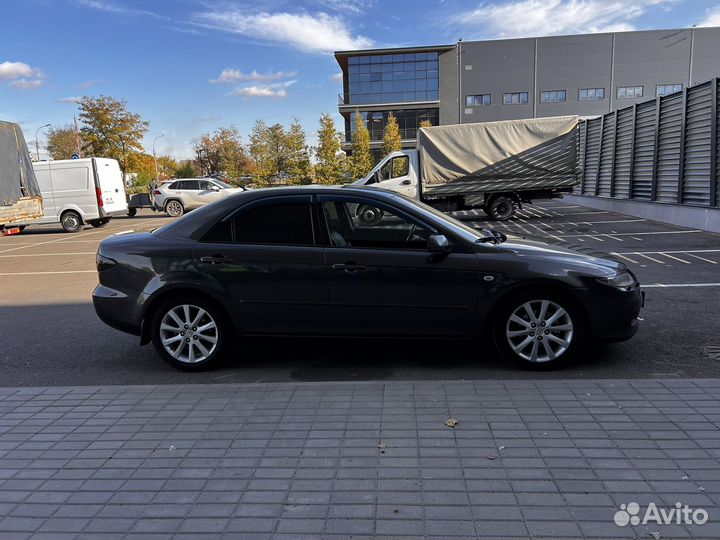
x=51, y=336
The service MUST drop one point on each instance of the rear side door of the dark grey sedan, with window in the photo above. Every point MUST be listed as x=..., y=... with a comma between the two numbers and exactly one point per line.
x=264, y=258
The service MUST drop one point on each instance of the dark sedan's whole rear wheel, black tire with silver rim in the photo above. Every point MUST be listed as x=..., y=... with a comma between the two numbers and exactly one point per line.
x=198, y=347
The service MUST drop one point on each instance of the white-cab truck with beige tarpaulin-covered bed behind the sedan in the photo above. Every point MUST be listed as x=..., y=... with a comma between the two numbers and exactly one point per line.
x=495, y=166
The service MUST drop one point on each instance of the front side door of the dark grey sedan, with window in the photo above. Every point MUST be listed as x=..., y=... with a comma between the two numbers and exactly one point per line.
x=383, y=280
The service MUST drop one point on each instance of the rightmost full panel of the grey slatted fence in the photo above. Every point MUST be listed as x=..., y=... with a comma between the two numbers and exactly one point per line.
x=696, y=172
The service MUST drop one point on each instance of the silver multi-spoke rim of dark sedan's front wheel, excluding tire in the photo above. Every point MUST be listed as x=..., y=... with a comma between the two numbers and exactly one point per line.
x=539, y=331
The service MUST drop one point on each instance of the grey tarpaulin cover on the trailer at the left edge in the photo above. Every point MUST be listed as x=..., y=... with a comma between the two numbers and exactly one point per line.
x=17, y=178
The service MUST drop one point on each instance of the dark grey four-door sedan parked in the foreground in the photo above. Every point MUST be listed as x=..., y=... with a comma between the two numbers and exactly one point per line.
x=299, y=261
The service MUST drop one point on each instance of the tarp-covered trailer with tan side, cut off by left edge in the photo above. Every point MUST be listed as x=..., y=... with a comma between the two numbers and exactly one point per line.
x=20, y=198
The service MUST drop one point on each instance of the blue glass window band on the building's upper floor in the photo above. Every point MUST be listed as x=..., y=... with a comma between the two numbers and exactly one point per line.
x=392, y=78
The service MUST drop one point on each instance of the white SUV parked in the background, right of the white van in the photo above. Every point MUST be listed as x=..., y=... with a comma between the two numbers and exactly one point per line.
x=189, y=193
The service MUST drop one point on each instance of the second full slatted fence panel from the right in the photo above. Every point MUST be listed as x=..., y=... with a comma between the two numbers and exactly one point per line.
x=669, y=142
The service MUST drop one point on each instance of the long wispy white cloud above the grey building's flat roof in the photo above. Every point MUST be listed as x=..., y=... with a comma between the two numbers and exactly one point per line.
x=527, y=18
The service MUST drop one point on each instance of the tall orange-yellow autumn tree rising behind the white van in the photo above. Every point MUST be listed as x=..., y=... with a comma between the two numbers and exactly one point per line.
x=110, y=130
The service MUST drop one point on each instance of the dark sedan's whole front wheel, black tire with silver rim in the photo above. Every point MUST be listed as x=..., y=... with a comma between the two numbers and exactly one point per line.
x=548, y=339
